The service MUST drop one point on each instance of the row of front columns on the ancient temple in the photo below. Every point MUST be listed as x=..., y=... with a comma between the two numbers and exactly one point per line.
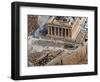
x=56, y=31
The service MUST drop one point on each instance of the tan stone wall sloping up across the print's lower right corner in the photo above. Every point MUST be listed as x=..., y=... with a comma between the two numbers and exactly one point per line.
x=71, y=58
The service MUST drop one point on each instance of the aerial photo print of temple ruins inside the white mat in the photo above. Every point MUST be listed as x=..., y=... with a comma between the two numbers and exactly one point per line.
x=57, y=40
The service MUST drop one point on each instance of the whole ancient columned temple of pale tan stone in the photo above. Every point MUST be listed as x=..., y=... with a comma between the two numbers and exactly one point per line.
x=63, y=28
